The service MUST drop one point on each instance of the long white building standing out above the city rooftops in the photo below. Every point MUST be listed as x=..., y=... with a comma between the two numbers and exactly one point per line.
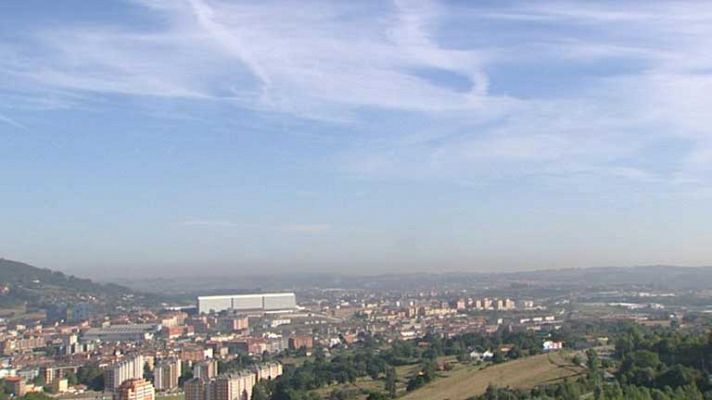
x=247, y=302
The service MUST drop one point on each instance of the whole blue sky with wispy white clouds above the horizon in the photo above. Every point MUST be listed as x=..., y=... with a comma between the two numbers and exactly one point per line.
x=154, y=137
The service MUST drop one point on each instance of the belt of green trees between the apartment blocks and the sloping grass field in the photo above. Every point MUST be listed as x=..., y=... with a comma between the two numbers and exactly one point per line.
x=371, y=358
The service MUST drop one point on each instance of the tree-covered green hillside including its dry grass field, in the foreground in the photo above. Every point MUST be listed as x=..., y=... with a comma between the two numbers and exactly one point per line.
x=651, y=363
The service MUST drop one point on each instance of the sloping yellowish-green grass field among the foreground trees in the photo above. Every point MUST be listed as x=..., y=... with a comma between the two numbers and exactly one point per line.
x=523, y=373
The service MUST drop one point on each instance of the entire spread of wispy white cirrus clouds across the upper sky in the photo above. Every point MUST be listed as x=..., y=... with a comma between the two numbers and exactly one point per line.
x=424, y=84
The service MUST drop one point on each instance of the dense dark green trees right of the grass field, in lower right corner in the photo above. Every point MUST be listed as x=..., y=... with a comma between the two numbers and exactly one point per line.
x=660, y=364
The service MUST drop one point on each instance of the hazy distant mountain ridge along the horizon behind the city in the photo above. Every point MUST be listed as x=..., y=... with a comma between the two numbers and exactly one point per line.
x=671, y=277
